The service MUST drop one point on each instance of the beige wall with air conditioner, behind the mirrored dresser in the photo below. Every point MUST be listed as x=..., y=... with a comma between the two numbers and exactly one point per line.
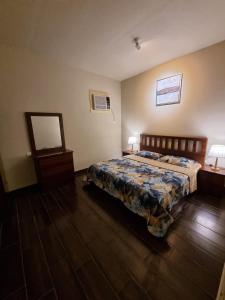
x=32, y=82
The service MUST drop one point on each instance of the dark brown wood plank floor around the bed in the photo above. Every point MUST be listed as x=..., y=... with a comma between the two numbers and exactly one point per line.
x=80, y=243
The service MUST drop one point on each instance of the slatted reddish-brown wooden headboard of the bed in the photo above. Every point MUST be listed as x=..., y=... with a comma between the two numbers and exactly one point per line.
x=190, y=147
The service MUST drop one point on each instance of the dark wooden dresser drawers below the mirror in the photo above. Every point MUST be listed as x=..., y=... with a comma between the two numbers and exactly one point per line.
x=54, y=169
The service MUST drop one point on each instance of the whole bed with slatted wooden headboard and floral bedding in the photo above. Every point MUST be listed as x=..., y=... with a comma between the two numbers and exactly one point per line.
x=152, y=182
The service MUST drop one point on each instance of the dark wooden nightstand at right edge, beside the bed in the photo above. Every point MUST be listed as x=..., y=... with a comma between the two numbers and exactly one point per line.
x=211, y=182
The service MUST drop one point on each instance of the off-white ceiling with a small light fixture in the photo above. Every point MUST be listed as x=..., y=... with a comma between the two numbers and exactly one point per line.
x=96, y=35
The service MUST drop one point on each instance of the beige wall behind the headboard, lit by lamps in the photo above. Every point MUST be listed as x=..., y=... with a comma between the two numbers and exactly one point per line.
x=202, y=107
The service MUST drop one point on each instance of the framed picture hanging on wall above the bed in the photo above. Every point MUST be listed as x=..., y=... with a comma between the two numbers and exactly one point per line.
x=168, y=90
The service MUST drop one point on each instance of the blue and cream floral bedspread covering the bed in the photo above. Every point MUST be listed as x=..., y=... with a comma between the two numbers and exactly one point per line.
x=147, y=190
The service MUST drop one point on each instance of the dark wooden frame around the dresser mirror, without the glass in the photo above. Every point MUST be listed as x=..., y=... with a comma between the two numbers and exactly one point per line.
x=34, y=151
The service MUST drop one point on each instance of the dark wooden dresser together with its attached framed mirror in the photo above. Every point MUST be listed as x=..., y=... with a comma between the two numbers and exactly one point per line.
x=53, y=162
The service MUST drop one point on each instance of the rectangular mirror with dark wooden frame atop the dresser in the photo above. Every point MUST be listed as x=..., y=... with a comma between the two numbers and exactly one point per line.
x=46, y=132
